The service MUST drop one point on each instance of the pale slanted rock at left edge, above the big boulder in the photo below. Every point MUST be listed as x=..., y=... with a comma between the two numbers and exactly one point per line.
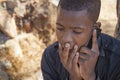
x=7, y=24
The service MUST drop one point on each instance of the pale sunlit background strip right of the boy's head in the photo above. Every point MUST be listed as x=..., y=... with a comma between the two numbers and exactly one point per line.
x=108, y=16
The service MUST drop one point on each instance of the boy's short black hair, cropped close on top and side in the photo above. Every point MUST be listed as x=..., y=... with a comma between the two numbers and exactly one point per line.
x=92, y=7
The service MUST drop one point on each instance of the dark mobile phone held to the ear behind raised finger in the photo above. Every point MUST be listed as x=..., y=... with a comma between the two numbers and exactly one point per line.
x=89, y=43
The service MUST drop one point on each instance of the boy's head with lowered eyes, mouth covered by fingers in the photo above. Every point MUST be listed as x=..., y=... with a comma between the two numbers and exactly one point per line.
x=75, y=20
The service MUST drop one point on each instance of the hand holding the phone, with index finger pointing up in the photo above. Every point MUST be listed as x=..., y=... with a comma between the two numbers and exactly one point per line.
x=88, y=59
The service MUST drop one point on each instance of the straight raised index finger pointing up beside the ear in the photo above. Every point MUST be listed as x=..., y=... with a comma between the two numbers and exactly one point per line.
x=94, y=41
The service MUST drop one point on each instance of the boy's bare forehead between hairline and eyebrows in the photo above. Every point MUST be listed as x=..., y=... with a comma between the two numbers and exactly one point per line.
x=73, y=17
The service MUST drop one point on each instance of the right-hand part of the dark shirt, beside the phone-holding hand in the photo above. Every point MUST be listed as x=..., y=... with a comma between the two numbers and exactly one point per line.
x=110, y=61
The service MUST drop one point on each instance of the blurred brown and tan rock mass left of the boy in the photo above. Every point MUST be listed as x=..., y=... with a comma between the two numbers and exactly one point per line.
x=22, y=54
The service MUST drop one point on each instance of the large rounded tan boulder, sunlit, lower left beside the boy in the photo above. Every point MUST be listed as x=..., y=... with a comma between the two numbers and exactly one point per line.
x=23, y=57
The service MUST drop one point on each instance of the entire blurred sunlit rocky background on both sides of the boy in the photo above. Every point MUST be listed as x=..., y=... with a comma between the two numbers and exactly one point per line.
x=27, y=27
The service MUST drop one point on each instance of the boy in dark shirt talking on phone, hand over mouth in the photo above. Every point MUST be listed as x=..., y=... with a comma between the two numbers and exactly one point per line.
x=81, y=53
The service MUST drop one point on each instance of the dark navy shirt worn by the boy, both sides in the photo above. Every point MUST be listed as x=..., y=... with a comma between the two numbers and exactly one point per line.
x=107, y=66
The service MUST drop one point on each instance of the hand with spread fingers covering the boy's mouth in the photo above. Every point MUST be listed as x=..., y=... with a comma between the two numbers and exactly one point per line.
x=70, y=61
